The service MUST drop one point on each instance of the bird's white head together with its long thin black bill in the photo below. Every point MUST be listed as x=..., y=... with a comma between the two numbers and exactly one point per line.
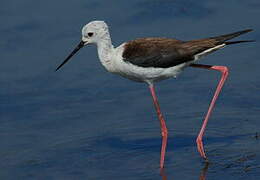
x=95, y=32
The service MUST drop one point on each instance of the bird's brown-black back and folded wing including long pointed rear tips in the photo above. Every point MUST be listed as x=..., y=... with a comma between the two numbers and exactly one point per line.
x=167, y=52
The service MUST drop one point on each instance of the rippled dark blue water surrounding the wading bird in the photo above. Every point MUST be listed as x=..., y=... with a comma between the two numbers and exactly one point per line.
x=84, y=123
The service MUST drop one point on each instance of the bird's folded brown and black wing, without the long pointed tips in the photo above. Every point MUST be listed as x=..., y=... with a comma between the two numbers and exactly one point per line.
x=156, y=52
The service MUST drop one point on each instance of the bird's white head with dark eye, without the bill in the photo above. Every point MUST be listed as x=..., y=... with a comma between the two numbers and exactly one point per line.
x=94, y=32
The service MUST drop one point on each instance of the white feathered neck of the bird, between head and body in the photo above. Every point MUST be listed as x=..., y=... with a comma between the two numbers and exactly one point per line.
x=105, y=50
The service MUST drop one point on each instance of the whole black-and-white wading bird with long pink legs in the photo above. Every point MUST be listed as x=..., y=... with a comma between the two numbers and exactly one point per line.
x=153, y=59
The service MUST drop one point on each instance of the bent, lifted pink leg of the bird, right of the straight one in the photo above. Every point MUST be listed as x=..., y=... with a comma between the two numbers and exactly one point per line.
x=224, y=71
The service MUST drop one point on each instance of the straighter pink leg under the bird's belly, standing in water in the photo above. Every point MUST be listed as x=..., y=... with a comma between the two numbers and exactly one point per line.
x=164, y=130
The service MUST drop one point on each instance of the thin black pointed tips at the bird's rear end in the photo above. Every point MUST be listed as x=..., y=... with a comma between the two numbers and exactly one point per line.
x=222, y=39
